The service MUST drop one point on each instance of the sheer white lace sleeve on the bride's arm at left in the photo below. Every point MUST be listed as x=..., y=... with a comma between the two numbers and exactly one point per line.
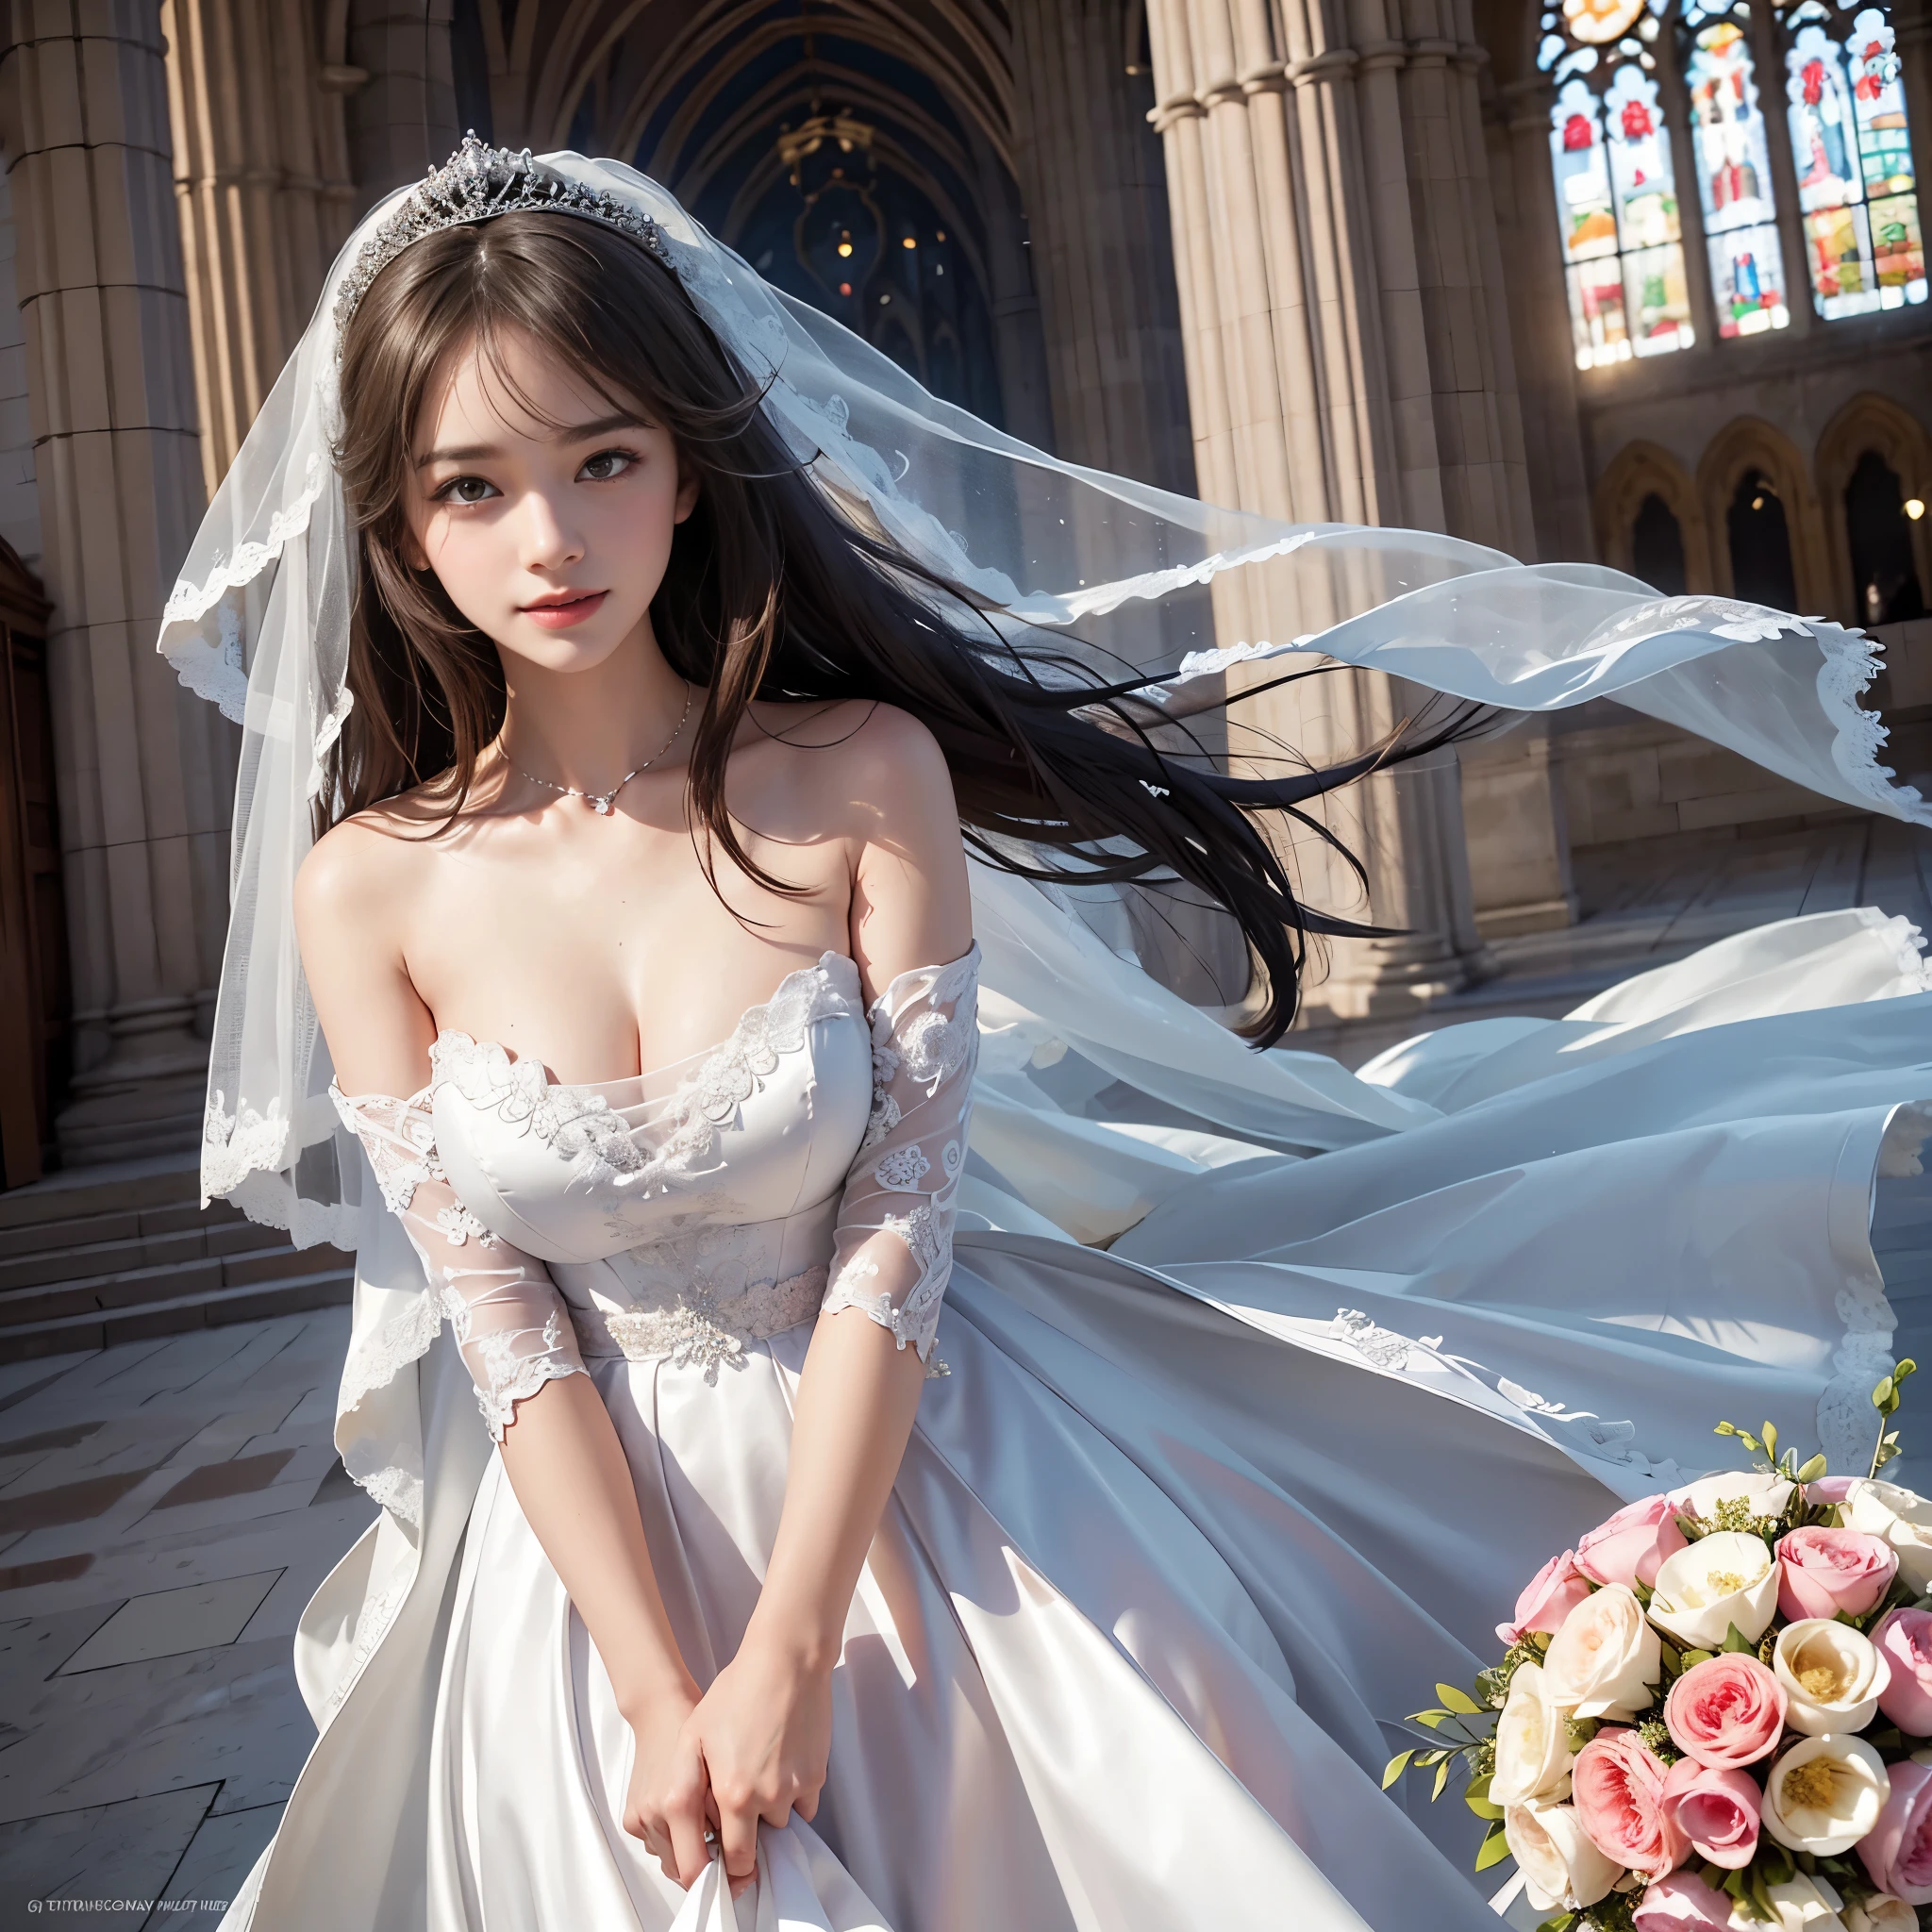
x=501, y=1303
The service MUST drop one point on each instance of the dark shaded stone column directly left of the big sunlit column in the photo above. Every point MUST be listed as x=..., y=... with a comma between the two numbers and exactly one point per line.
x=1091, y=177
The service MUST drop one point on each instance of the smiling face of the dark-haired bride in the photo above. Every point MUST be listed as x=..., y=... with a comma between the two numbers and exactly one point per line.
x=552, y=542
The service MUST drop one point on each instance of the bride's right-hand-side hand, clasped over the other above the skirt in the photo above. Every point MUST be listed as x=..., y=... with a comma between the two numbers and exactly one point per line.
x=764, y=1732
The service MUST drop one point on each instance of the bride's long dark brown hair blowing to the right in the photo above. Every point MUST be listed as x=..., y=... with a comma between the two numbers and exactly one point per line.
x=770, y=594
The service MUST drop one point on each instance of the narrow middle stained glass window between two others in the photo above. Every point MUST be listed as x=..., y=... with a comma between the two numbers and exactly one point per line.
x=1734, y=171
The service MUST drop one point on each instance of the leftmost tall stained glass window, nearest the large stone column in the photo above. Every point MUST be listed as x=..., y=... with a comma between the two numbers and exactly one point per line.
x=1616, y=188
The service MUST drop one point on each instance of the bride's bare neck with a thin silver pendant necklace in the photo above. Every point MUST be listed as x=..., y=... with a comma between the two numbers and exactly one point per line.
x=586, y=729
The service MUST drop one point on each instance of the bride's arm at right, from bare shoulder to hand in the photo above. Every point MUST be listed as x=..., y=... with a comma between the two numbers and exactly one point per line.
x=764, y=1726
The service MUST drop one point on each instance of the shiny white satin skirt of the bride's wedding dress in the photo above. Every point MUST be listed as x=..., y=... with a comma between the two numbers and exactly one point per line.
x=1110, y=1664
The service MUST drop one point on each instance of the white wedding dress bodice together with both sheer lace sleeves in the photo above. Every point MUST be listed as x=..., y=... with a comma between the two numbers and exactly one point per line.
x=685, y=1214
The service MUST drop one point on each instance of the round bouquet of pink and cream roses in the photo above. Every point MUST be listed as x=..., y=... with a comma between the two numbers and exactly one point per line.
x=1717, y=1711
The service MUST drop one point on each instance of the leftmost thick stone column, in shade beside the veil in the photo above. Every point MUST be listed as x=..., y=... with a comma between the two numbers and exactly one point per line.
x=146, y=772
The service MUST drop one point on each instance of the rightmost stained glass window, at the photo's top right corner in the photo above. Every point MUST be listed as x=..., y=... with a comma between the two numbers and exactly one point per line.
x=1850, y=140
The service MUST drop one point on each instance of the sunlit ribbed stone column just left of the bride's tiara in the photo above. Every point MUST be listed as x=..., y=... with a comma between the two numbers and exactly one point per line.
x=266, y=200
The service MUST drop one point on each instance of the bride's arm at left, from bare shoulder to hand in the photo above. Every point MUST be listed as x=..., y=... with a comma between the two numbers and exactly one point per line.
x=559, y=1446
